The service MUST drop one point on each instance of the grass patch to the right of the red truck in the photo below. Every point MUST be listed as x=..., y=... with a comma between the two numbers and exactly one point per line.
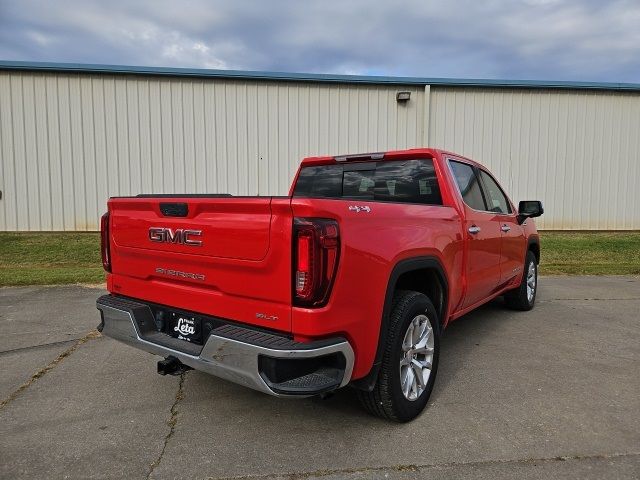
x=590, y=253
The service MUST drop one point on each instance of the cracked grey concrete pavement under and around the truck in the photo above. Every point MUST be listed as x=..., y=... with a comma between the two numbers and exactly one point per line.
x=550, y=393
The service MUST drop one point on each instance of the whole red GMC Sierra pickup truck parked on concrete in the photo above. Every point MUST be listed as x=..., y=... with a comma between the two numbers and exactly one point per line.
x=349, y=280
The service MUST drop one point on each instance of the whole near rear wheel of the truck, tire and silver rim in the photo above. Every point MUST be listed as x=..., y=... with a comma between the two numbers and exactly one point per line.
x=410, y=360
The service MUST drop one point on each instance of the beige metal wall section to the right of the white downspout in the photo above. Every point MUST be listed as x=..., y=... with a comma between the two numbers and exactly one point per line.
x=576, y=150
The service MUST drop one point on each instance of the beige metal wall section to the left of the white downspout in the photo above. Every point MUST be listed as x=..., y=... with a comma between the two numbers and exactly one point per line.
x=69, y=141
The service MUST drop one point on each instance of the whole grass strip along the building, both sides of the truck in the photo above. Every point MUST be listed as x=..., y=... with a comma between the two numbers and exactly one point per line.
x=60, y=258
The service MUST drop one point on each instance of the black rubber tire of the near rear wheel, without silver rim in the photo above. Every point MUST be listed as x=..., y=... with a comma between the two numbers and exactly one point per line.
x=387, y=399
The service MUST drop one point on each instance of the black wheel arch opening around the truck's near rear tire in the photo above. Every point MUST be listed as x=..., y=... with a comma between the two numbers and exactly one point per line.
x=424, y=274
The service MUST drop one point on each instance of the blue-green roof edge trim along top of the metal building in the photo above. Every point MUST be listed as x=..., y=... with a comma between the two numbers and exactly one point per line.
x=309, y=77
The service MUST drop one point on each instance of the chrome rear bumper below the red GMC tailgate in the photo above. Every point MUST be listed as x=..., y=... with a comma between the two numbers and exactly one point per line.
x=231, y=352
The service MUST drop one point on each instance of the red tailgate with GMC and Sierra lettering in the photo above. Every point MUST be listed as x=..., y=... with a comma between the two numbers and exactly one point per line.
x=235, y=262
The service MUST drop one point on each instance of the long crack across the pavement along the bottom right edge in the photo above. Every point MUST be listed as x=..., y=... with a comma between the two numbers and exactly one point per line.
x=417, y=468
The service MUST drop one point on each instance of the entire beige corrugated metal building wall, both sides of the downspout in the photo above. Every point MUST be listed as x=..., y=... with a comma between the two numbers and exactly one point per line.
x=69, y=141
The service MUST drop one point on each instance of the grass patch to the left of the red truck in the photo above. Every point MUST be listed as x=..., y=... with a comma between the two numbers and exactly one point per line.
x=50, y=258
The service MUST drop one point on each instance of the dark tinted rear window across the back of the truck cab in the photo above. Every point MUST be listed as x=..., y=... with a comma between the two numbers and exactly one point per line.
x=409, y=181
